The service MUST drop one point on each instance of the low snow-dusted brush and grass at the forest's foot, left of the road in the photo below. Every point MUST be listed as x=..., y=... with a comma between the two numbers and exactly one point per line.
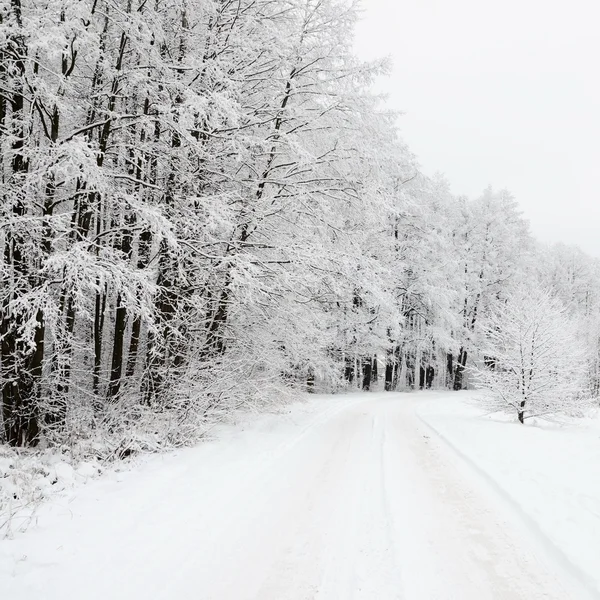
x=31, y=479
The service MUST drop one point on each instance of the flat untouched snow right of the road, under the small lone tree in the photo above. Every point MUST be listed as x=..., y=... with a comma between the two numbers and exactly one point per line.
x=549, y=472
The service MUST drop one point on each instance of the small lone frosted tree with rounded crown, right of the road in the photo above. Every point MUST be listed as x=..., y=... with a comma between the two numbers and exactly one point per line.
x=534, y=365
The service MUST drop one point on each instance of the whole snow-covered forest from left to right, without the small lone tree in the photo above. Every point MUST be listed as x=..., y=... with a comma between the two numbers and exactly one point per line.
x=203, y=206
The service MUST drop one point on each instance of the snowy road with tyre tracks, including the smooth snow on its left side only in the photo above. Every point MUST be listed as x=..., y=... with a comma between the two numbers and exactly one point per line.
x=355, y=499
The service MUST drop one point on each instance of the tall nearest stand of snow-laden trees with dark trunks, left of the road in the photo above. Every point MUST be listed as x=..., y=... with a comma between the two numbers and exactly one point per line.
x=182, y=194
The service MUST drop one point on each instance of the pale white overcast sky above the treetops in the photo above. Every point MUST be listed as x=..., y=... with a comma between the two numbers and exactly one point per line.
x=503, y=93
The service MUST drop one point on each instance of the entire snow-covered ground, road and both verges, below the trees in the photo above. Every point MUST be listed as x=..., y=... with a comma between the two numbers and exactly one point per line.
x=347, y=497
